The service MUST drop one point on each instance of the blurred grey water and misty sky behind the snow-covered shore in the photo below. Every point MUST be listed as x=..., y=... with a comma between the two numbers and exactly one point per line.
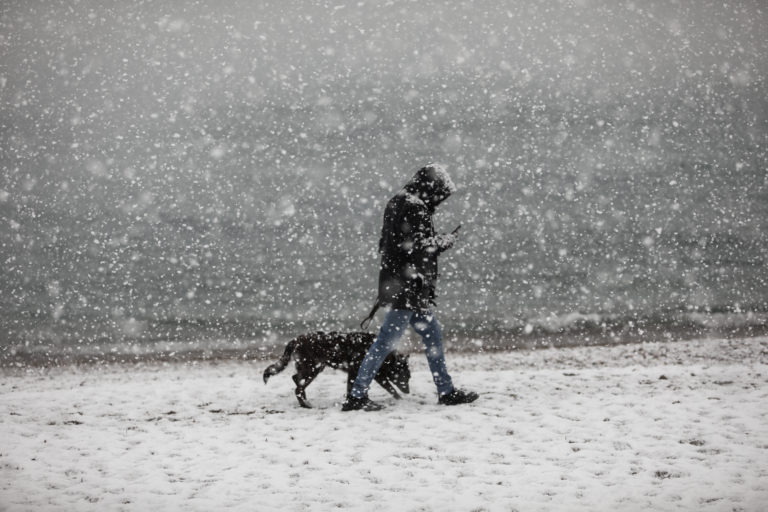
x=198, y=176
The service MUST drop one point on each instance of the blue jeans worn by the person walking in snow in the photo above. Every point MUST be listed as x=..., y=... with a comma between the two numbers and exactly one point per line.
x=392, y=329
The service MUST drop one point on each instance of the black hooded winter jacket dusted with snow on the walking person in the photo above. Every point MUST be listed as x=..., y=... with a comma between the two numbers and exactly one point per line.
x=409, y=245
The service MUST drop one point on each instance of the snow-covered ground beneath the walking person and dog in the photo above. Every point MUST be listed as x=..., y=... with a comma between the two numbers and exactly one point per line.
x=676, y=426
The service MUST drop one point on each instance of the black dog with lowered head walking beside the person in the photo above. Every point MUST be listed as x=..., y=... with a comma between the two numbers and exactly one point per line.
x=341, y=351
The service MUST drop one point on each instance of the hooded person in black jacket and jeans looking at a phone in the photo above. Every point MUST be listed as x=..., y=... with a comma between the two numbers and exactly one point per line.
x=409, y=248
